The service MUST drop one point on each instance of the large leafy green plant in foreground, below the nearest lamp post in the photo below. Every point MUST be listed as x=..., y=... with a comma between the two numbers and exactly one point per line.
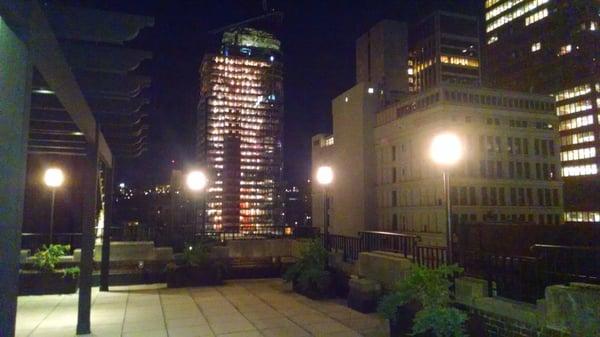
x=424, y=294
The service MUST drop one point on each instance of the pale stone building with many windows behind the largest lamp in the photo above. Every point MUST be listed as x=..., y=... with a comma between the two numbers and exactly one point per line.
x=509, y=172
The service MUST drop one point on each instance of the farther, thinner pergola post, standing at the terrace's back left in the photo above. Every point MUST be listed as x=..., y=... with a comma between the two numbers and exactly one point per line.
x=108, y=222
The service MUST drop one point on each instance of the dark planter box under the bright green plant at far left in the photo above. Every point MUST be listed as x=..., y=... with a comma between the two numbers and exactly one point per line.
x=38, y=283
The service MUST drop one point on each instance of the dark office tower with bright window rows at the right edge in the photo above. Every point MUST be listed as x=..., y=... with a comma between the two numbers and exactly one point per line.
x=552, y=47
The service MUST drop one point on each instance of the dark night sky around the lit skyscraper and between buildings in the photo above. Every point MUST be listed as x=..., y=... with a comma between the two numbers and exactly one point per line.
x=318, y=44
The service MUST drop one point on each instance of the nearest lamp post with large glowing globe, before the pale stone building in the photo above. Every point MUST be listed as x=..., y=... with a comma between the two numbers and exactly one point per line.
x=446, y=151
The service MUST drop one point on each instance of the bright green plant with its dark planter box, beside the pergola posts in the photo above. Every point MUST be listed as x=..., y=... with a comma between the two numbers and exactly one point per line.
x=47, y=279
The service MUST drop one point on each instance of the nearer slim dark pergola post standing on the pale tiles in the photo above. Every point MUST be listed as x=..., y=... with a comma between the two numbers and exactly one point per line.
x=88, y=219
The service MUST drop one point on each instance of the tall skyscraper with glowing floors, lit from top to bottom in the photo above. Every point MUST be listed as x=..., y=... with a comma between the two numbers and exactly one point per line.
x=240, y=125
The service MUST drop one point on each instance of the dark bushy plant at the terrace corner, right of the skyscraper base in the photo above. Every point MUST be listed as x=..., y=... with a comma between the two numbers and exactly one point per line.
x=309, y=275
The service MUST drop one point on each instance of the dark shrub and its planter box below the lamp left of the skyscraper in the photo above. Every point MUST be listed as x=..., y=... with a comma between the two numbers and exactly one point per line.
x=196, y=268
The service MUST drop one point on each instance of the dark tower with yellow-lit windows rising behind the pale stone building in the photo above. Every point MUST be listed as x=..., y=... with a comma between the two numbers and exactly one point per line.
x=444, y=48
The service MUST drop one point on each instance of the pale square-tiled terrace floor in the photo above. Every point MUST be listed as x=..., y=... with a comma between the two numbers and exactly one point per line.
x=239, y=308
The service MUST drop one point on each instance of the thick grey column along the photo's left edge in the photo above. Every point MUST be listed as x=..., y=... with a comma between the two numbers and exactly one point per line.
x=15, y=95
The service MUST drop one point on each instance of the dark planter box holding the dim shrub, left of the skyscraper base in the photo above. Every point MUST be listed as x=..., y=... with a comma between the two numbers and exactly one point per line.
x=192, y=276
